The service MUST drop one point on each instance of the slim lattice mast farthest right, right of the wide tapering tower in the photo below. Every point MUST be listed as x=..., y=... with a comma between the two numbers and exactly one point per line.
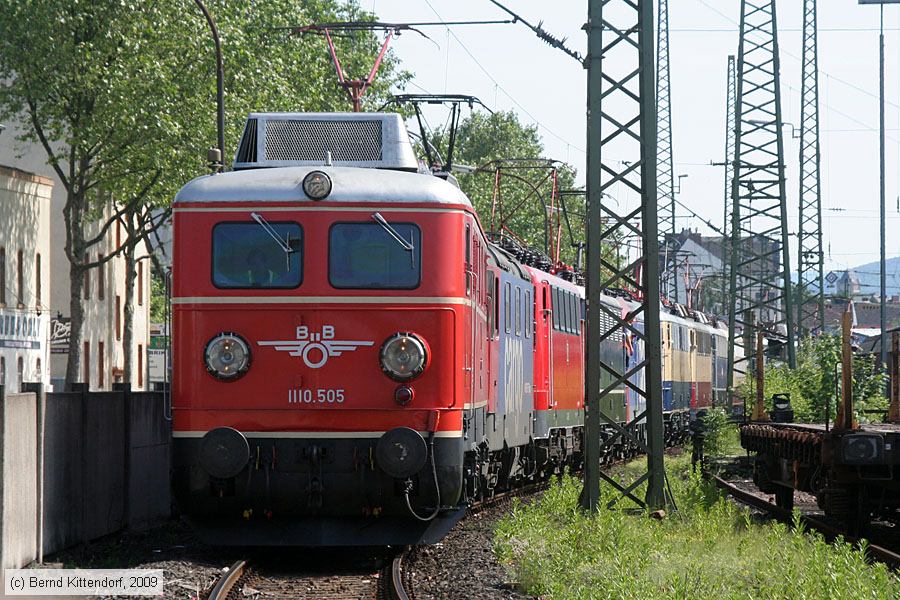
x=810, y=259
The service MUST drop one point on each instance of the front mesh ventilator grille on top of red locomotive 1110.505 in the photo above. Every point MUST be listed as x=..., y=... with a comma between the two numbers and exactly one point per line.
x=308, y=140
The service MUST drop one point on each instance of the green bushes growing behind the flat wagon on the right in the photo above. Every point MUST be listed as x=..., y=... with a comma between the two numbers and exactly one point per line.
x=813, y=384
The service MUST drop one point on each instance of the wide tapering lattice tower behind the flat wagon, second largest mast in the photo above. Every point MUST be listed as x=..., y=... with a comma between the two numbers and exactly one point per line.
x=760, y=285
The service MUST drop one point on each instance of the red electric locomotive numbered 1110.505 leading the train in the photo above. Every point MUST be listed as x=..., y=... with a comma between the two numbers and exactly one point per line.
x=329, y=338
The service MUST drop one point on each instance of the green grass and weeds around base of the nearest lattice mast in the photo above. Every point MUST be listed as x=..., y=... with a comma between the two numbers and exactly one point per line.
x=709, y=548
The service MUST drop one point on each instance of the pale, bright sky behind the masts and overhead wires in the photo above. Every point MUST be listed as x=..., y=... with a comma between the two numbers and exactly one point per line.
x=509, y=68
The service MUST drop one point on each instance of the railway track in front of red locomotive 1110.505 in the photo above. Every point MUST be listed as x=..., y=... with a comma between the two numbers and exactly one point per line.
x=258, y=578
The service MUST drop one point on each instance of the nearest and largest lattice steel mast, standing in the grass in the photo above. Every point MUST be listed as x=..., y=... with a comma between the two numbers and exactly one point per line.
x=622, y=111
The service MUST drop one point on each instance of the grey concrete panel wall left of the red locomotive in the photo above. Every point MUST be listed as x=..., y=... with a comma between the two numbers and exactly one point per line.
x=101, y=465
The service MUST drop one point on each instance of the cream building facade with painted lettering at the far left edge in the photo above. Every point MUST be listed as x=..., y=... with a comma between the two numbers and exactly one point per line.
x=24, y=277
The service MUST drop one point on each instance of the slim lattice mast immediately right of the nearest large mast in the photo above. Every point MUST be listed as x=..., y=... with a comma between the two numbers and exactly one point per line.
x=665, y=168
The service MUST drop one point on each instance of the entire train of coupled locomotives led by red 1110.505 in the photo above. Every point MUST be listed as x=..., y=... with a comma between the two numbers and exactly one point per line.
x=355, y=359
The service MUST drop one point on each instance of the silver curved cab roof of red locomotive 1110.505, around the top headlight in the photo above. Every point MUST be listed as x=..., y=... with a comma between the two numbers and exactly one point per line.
x=350, y=184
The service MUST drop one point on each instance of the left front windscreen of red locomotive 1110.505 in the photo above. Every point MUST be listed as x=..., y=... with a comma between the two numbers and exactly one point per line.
x=247, y=255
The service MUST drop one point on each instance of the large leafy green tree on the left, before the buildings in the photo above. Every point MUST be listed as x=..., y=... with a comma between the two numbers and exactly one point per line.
x=120, y=95
